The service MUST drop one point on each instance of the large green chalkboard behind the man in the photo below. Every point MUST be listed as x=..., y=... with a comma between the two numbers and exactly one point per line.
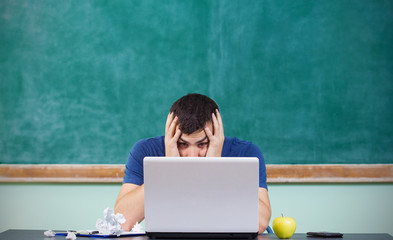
x=307, y=81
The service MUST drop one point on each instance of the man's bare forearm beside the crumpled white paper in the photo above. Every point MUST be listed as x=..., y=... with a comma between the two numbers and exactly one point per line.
x=132, y=206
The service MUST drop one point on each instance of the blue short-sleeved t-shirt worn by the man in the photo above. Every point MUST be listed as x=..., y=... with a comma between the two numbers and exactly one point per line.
x=233, y=147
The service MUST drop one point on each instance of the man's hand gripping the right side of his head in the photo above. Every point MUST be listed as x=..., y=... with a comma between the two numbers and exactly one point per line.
x=216, y=140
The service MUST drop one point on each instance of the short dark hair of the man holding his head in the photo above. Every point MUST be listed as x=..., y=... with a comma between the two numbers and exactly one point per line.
x=193, y=111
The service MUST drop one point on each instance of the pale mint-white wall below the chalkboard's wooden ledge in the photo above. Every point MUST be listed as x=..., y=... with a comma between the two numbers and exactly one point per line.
x=347, y=208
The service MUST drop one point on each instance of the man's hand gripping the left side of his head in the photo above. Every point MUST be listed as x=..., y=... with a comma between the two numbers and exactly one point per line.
x=172, y=134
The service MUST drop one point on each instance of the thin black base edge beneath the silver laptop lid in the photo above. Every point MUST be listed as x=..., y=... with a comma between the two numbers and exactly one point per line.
x=196, y=235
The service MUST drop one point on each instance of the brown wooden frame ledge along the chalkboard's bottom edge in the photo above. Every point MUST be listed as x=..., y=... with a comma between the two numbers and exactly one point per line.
x=113, y=173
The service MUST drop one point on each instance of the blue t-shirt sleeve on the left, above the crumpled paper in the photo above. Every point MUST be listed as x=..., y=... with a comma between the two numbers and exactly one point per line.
x=134, y=167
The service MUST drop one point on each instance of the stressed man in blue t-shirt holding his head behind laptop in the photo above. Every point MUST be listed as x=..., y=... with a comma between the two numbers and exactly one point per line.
x=193, y=129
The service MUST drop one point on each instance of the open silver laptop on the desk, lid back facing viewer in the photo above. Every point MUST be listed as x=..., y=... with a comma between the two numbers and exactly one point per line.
x=201, y=197
